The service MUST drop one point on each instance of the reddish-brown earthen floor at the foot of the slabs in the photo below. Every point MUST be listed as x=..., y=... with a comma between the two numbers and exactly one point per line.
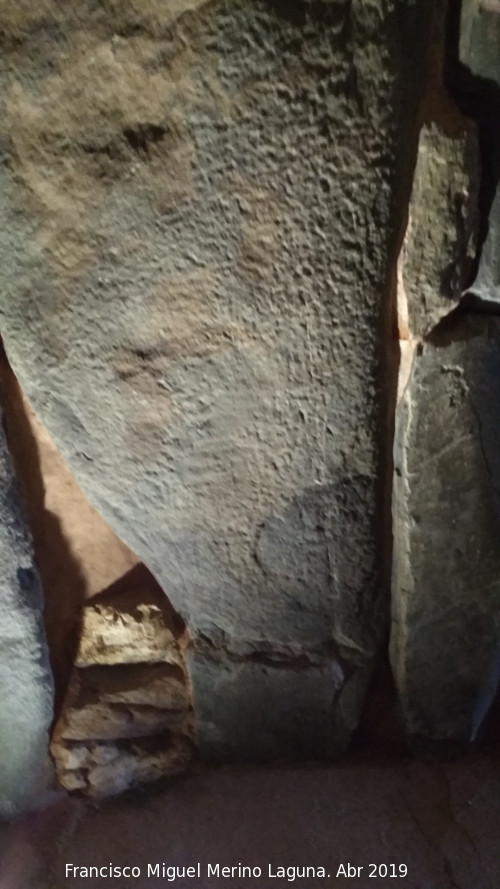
x=440, y=821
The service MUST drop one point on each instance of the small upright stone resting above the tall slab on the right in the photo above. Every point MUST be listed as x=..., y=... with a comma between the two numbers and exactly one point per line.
x=441, y=237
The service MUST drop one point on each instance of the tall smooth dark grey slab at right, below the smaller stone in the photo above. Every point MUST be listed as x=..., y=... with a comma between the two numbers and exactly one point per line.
x=445, y=641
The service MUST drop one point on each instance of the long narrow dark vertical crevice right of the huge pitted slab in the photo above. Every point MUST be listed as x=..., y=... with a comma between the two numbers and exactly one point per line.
x=416, y=70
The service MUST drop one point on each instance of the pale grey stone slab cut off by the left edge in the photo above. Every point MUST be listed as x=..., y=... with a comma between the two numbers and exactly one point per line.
x=26, y=691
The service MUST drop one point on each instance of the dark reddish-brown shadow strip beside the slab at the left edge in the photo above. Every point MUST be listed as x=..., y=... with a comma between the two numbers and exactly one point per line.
x=61, y=576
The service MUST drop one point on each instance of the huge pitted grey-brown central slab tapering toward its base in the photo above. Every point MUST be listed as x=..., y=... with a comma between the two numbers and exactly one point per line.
x=197, y=201
